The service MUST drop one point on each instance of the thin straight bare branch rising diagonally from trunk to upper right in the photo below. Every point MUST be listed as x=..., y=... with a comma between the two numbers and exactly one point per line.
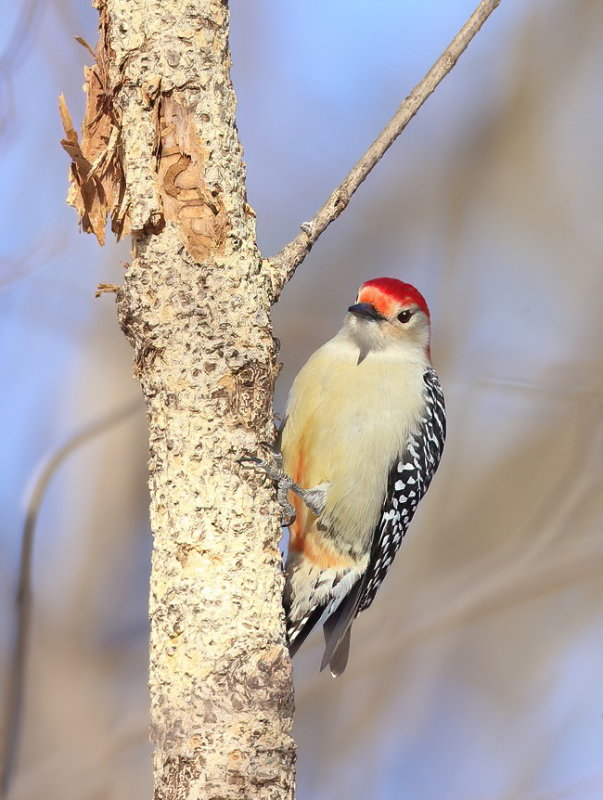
x=291, y=256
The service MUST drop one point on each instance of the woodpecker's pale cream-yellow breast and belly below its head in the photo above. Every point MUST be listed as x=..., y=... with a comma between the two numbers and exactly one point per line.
x=347, y=422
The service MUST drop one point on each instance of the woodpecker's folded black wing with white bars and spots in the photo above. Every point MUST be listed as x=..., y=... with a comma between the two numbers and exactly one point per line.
x=409, y=479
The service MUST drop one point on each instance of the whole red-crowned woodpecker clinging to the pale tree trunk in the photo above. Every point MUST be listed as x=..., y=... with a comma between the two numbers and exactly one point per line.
x=362, y=438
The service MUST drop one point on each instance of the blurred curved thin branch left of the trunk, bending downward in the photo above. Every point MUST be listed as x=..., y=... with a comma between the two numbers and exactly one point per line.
x=16, y=676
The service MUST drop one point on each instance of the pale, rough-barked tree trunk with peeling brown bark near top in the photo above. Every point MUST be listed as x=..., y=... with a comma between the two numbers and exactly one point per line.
x=195, y=306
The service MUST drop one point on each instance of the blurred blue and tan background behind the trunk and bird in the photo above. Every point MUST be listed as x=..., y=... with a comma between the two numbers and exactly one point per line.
x=476, y=674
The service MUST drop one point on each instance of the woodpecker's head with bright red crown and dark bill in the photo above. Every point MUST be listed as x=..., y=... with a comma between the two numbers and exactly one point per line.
x=389, y=314
